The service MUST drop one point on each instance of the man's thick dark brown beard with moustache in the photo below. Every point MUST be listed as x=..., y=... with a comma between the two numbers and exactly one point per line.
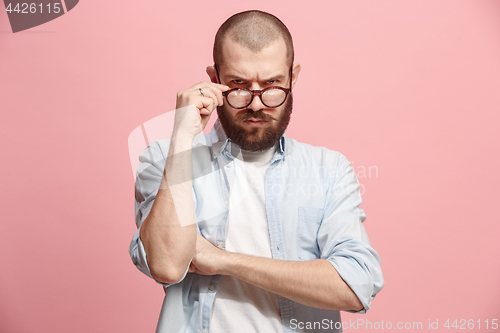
x=256, y=138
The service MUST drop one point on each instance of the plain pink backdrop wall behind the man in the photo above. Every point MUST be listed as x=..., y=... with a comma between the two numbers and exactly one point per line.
x=410, y=88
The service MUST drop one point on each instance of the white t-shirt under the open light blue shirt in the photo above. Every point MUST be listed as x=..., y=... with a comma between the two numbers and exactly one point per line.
x=240, y=306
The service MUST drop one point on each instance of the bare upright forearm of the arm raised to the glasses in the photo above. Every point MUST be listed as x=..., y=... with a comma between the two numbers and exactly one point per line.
x=169, y=232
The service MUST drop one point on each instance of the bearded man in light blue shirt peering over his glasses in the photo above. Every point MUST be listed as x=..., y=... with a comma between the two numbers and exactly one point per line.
x=250, y=231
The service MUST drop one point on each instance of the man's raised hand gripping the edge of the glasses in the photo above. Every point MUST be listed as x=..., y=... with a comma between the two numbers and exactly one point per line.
x=193, y=110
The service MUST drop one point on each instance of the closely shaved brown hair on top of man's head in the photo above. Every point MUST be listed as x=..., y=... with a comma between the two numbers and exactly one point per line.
x=254, y=30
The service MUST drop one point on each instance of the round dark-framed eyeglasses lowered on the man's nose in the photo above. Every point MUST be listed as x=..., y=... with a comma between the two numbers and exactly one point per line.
x=272, y=97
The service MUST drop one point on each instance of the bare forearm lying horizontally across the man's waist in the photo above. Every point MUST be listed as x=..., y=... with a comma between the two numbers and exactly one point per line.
x=314, y=283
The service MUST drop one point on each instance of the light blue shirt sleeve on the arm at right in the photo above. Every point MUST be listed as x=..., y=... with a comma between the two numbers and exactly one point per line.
x=342, y=239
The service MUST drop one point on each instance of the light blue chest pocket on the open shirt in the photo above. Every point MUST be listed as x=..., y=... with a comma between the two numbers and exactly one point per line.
x=309, y=222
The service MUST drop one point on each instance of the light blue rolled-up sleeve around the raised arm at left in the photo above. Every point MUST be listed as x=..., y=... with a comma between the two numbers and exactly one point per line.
x=149, y=175
